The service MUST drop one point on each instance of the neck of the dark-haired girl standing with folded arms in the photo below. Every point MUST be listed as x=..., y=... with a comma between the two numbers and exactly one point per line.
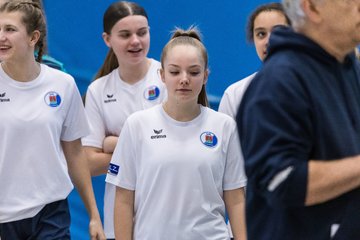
x=134, y=73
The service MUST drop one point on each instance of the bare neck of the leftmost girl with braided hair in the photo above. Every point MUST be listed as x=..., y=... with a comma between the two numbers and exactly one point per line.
x=22, y=71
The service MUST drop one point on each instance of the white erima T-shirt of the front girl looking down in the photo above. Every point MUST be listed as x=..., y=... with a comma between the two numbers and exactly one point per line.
x=179, y=171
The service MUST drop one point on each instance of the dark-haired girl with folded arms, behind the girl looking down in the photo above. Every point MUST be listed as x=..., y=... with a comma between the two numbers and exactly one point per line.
x=127, y=82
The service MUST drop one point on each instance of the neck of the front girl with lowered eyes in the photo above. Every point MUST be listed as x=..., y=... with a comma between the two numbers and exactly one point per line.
x=182, y=112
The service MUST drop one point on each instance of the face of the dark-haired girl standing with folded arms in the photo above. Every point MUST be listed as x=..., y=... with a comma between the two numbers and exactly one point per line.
x=130, y=39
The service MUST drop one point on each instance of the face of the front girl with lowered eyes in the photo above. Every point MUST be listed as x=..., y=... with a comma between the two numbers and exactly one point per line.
x=184, y=74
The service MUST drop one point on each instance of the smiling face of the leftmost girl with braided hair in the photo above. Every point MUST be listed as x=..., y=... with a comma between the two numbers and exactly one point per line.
x=15, y=42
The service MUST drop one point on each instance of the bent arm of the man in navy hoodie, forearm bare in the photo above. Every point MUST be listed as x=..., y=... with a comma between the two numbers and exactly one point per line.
x=277, y=153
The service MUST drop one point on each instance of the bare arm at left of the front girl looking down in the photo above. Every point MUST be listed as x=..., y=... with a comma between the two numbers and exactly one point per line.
x=123, y=214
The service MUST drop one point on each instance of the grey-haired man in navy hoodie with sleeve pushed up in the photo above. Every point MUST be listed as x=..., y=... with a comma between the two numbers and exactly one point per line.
x=299, y=125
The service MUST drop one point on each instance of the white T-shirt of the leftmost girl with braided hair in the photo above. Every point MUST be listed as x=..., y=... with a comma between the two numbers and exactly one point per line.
x=34, y=117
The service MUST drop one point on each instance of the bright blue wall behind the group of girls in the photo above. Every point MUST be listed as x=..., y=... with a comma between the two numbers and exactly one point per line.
x=74, y=38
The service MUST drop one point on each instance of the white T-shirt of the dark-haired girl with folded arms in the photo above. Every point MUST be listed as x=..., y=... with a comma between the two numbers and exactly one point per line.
x=109, y=101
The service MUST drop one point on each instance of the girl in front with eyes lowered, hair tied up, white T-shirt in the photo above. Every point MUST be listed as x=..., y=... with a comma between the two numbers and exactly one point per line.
x=177, y=165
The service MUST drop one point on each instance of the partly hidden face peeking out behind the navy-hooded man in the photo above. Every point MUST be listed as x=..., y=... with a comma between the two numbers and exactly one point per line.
x=263, y=25
